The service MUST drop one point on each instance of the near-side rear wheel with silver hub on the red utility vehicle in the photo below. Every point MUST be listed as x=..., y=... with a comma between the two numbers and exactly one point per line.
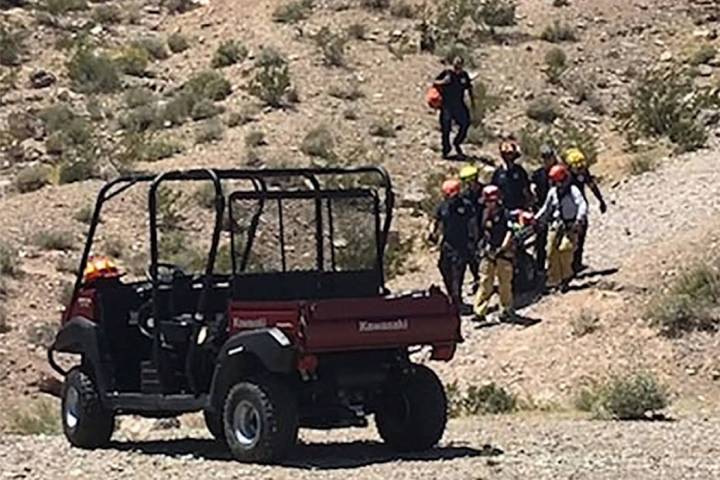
x=260, y=420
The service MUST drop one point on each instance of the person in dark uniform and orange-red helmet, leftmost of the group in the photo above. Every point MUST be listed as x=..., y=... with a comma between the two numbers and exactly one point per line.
x=454, y=216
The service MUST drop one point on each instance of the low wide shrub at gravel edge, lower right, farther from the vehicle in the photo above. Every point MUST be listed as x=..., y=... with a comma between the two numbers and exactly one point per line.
x=628, y=397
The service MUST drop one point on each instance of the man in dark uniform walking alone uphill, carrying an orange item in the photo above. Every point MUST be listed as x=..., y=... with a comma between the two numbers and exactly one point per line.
x=453, y=83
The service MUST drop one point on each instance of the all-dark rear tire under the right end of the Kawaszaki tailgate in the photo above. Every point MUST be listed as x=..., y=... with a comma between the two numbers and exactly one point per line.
x=413, y=412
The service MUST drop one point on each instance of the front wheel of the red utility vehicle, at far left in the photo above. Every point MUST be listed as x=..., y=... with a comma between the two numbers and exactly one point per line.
x=86, y=423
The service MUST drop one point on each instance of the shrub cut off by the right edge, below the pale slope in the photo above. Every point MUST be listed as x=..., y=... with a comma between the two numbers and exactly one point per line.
x=690, y=304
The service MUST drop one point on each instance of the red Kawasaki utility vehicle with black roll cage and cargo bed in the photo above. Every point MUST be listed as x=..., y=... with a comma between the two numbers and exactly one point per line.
x=300, y=333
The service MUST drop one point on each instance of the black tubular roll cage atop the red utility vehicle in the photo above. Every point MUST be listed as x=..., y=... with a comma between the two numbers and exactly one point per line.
x=259, y=179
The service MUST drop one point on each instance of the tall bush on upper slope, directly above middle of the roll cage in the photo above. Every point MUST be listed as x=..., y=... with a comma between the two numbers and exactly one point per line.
x=272, y=78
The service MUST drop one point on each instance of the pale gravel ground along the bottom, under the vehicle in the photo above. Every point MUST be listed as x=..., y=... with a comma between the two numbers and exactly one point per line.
x=505, y=447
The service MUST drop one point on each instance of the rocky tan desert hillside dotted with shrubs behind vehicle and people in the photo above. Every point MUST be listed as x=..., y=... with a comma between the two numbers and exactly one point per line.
x=91, y=89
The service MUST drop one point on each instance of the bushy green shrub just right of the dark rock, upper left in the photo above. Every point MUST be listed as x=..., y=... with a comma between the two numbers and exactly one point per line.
x=92, y=72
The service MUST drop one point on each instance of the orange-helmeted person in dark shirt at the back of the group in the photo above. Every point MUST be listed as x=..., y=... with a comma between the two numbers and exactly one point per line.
x=511, y=178
